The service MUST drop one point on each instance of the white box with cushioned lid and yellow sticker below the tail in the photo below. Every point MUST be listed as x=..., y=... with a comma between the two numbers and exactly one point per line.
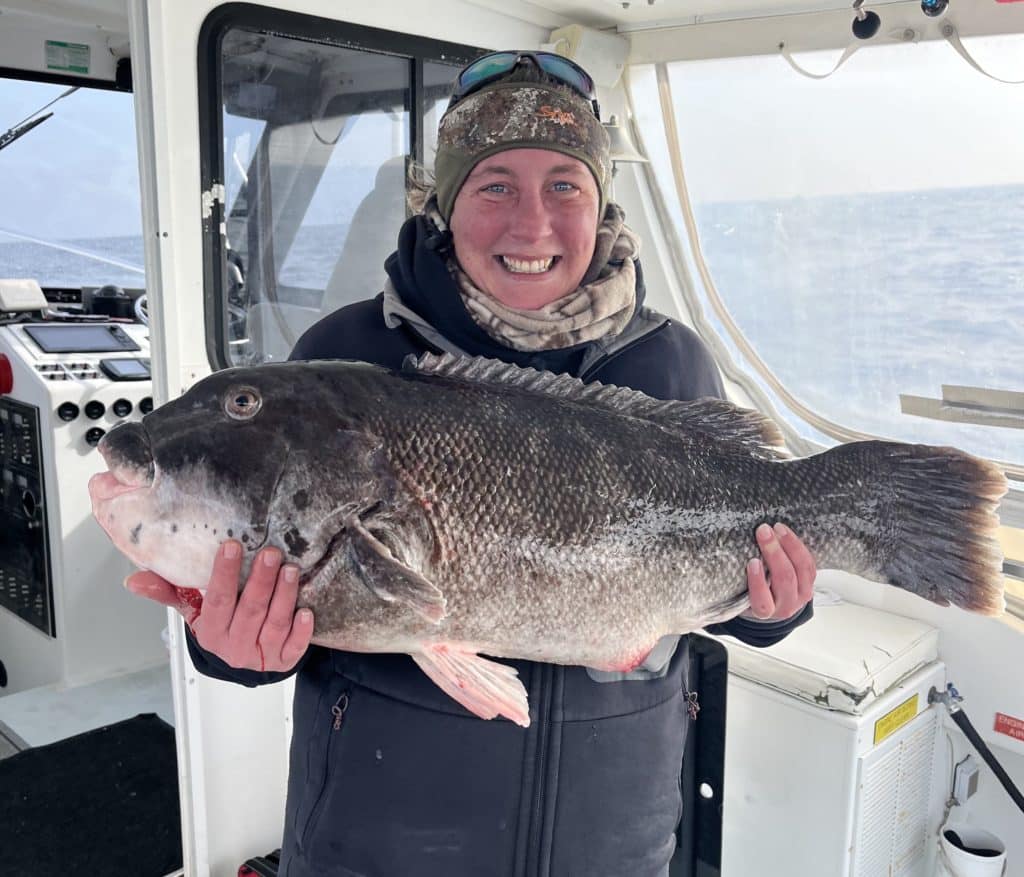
x=833, y=760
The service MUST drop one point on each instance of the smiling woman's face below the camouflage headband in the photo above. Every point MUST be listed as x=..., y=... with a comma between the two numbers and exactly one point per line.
x=525, y=225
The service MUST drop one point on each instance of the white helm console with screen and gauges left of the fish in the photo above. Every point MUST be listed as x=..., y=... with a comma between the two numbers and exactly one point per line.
x=64, y=615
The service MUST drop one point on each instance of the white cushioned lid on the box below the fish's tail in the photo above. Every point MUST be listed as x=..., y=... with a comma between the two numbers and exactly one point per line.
x=844, y=659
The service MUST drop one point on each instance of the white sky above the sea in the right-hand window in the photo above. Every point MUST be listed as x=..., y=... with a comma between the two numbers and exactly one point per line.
x=893, y=118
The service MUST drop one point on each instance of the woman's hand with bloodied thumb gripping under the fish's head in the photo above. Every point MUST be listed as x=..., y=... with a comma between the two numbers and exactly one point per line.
x=253, y=630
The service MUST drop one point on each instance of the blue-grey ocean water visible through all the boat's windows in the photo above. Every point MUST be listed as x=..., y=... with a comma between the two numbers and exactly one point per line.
x=849, y=300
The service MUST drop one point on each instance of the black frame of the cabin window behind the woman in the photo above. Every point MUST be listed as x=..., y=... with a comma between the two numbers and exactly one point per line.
x=415, y=50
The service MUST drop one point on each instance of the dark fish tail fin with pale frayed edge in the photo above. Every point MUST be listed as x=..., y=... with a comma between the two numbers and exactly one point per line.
x=945, y=546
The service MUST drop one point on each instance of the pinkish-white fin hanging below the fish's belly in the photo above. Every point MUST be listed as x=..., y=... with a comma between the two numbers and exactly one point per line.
x=485, y=688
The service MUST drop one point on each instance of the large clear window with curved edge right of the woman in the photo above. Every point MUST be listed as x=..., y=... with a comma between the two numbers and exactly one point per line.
x=862, y=231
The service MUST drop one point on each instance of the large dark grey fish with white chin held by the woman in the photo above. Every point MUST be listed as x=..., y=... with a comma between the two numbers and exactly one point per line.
x=463, y=508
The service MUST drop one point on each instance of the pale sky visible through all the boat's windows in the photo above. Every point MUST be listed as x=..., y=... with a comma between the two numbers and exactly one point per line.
x=893, y=118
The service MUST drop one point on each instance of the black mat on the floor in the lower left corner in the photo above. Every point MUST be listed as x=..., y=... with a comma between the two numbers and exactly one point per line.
x=103, y=804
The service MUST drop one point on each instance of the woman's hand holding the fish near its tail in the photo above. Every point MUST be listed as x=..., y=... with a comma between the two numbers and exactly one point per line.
x=789, y=584
